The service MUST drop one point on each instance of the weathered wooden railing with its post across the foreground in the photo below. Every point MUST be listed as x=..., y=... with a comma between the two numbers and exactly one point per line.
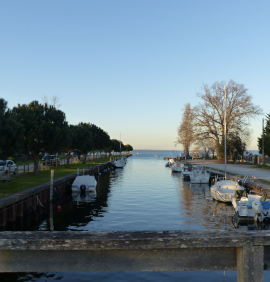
x=137, y=251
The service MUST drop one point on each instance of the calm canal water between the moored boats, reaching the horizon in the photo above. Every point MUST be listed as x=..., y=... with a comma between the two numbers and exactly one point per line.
x=144, y=195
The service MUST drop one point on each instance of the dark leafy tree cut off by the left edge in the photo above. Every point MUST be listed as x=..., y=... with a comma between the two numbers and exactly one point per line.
x=10, y=131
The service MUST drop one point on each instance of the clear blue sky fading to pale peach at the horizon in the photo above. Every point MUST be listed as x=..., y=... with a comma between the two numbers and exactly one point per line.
x=129, y=67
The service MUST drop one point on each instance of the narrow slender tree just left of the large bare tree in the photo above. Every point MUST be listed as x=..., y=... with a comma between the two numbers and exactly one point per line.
x=185, y=134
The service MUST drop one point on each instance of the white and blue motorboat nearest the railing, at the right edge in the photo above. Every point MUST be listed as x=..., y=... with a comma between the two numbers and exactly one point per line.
x=251, y=208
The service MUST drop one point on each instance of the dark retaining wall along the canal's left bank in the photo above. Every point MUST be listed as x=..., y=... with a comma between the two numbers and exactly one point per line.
x=22, y=209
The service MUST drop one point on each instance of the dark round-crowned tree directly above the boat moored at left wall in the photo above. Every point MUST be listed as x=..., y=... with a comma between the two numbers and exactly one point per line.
x=82, y=139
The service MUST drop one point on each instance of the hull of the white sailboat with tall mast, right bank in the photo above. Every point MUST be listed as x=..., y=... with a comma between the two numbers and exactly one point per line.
x=224, y=190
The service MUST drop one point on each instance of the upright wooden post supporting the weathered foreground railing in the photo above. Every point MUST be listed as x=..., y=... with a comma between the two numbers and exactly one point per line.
x=250, y=261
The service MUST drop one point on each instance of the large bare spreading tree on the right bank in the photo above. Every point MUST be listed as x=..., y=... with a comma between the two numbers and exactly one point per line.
x=208, y=117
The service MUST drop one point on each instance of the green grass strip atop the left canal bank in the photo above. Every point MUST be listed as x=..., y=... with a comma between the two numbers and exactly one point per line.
x=28, y=180
